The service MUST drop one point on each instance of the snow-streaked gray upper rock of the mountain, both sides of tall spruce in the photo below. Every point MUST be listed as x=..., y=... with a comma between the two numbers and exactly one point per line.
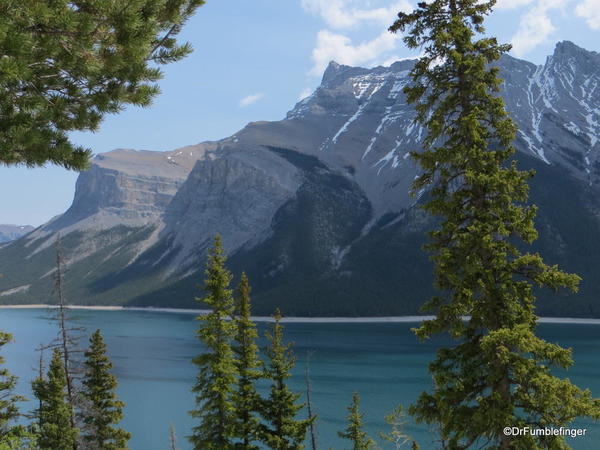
x=358, y=121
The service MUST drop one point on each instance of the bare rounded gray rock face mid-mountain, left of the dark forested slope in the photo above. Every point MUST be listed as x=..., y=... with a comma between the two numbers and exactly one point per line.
x=230, y=192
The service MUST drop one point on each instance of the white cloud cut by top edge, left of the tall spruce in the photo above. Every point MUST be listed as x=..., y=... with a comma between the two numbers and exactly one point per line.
x=342, y=14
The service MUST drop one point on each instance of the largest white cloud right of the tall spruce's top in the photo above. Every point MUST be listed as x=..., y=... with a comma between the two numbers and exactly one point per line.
x=535, y=26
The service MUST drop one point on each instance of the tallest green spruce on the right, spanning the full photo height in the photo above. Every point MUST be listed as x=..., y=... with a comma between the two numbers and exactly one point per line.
x=498, y=373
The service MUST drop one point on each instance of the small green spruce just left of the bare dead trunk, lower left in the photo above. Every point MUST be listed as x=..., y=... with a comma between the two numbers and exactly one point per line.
x=55, y=431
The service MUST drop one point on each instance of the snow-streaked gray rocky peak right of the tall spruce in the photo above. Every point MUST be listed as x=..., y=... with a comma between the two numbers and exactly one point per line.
x=556, y=107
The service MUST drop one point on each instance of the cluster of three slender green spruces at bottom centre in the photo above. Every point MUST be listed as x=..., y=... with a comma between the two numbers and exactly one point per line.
x=228, y=406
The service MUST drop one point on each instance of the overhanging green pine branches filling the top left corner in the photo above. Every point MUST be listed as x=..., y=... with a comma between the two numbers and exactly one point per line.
x=66, y=64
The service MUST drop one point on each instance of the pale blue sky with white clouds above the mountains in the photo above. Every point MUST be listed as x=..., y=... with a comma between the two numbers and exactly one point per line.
x=255, y=60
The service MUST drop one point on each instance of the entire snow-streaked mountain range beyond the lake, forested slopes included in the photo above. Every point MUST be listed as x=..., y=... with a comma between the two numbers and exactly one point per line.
x=316, y=208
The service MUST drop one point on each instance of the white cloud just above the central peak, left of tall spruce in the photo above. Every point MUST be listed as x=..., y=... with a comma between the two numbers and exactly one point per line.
x=338, y=47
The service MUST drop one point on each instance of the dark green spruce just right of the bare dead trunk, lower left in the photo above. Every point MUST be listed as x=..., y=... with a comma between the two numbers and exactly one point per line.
x=102, y=410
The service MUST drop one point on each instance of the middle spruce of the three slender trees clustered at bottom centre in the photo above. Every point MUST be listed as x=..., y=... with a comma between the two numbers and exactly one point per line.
x=248, y=364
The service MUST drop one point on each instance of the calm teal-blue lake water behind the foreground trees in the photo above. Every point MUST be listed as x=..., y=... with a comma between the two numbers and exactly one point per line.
x=151, y=352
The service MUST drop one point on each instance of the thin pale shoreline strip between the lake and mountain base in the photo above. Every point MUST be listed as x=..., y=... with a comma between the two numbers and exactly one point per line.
x=384, y=319
